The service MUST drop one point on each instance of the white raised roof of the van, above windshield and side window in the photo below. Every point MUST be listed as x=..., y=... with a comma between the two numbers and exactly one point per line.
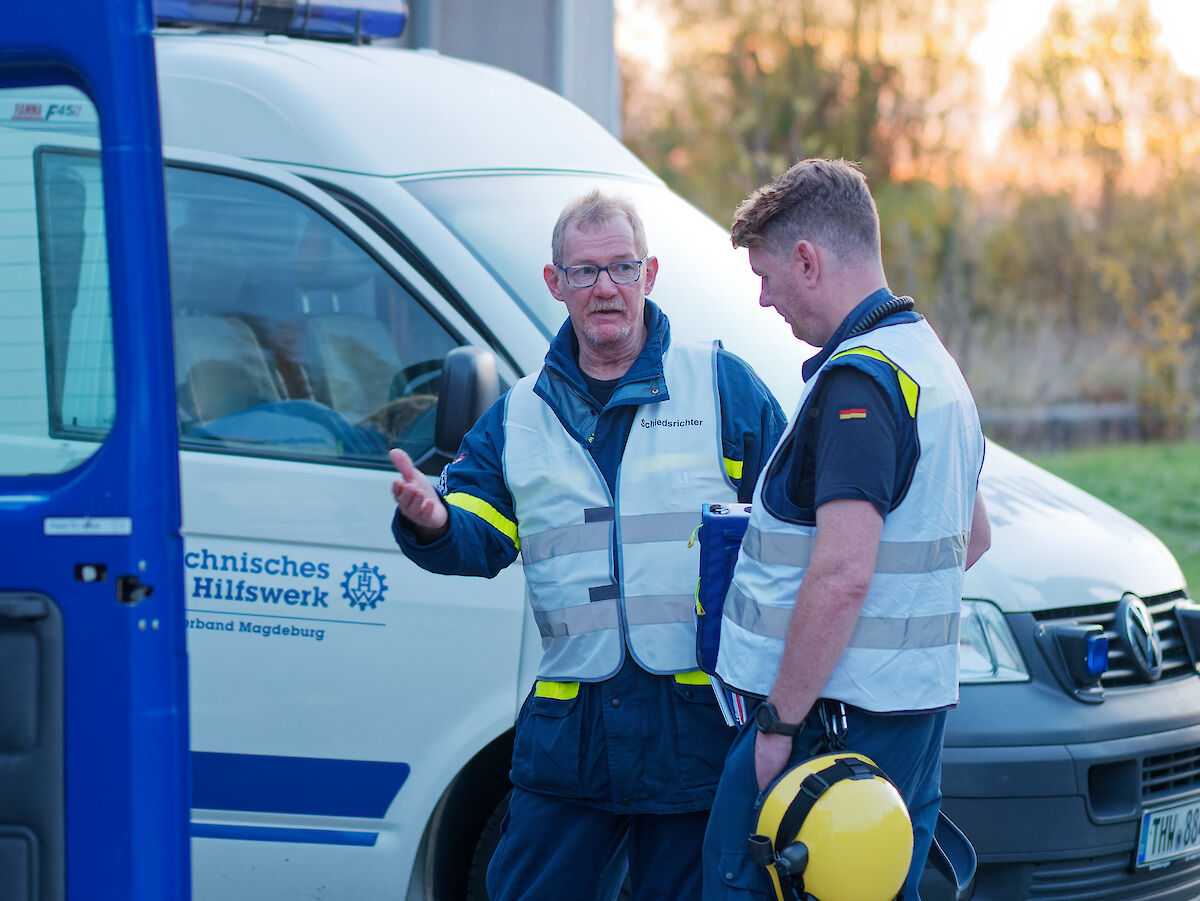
x=410, y=112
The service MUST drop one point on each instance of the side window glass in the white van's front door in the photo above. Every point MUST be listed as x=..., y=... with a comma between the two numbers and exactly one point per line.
x=290, y=338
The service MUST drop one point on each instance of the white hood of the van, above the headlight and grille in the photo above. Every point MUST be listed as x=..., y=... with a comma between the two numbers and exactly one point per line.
x=1057, y=546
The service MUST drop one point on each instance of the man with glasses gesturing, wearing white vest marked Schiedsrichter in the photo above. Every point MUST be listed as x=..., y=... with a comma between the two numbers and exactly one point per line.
x=595, y=470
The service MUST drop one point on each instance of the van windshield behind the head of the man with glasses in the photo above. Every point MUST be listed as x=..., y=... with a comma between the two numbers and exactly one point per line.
x=704, y=285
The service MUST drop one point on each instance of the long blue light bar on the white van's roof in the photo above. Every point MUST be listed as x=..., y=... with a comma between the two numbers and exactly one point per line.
x=356, y=21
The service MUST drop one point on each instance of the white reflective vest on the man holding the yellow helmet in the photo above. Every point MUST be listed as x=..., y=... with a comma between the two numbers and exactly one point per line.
x=903, y=654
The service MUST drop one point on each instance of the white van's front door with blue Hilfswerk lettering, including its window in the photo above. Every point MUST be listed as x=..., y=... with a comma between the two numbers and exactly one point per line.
x=338, y=690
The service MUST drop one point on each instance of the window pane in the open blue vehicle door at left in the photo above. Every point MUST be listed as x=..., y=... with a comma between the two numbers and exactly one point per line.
x=57, y=382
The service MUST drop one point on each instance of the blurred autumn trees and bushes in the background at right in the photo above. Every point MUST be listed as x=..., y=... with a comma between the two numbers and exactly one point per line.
x=1061, y=265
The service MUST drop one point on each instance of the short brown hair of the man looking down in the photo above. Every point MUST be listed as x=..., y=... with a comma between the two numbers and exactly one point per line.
x=824, y=201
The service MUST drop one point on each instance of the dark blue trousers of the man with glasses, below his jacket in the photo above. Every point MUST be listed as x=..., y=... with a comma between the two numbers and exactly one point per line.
x=553, y=850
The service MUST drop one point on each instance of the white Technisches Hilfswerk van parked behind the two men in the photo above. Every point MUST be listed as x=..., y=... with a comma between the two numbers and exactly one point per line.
x=344, y=218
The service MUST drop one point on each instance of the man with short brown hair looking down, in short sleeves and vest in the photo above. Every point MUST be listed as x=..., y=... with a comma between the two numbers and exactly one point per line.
x=848, y=588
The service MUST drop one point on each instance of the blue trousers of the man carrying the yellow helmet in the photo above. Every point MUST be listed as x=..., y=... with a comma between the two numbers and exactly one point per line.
x=907, y=747
